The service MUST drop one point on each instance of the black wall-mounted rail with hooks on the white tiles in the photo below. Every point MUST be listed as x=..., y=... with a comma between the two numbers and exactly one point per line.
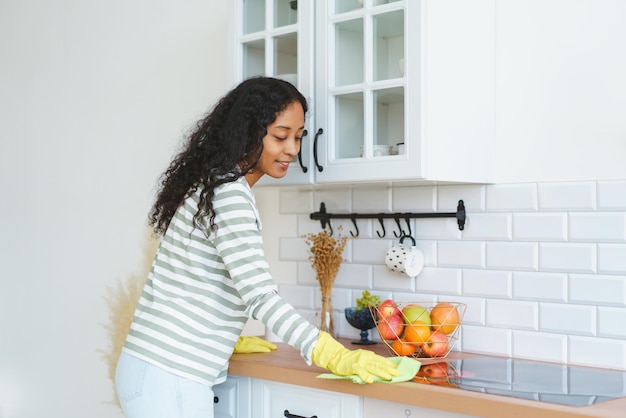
x=325, y=217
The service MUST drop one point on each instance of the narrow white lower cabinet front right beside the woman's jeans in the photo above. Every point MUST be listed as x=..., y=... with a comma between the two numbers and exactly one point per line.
x=232, y=397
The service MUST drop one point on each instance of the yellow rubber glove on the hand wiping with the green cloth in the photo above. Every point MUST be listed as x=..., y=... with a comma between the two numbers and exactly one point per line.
x=329, y=354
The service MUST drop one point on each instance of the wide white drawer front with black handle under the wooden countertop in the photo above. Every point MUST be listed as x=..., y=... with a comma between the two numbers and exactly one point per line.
x=272, y=399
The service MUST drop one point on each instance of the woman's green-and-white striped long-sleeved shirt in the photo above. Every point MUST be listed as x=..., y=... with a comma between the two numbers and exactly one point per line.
x=200, y=292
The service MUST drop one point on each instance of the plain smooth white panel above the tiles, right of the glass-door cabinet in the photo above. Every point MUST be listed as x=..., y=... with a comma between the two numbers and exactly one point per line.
x=561, y=90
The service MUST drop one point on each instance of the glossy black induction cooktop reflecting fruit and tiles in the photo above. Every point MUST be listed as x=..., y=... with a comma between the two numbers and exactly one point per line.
x=526, y=379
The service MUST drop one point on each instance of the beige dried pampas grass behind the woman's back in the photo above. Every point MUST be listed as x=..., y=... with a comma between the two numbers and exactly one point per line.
x=122, y=299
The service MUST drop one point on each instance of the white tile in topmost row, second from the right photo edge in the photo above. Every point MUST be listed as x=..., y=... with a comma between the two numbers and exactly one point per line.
x=574, y=196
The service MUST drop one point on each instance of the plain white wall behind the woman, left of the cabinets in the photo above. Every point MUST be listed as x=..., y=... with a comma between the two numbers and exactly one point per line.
x=93, y=98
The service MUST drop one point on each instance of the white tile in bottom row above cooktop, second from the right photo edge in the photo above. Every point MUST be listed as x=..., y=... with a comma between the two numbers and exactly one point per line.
x=540, y=346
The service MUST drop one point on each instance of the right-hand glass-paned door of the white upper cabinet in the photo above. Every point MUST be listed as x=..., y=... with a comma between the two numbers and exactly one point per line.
x=365, y=84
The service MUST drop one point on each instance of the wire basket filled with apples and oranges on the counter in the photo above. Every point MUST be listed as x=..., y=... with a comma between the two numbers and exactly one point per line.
x=419, y=329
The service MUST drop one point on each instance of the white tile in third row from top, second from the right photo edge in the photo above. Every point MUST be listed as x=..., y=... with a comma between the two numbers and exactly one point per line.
x=566, y=257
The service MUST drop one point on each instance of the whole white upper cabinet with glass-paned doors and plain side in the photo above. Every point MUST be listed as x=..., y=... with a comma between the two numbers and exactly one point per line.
x=398, y=90
